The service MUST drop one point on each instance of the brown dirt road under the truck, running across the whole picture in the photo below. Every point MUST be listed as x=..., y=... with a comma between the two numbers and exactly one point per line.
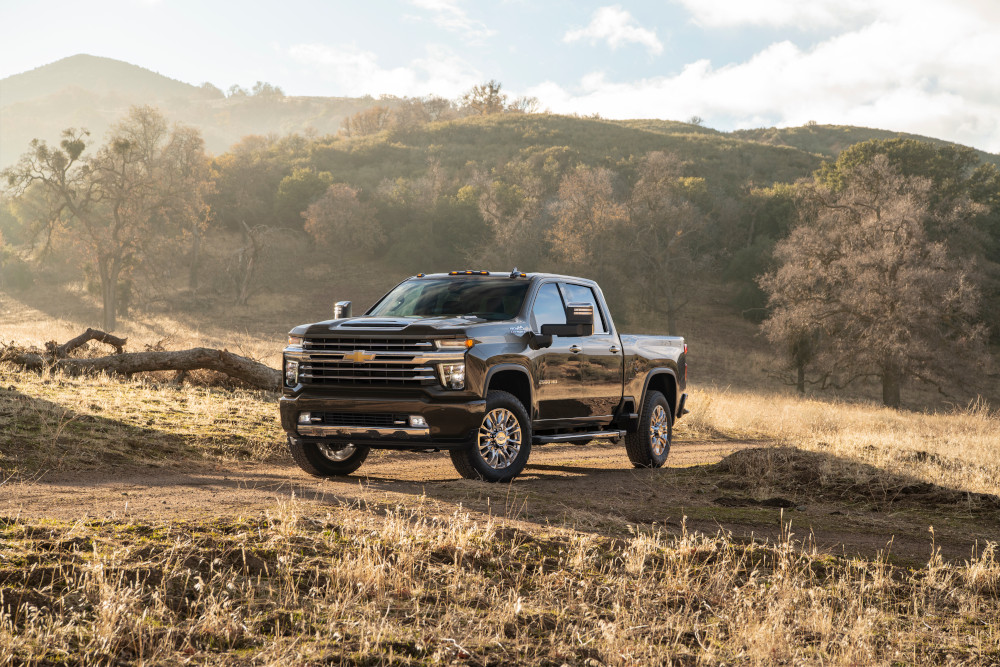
x=590, y=488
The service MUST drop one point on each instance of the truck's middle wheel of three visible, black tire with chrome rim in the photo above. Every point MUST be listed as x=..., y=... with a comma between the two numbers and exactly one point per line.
x=476, y=462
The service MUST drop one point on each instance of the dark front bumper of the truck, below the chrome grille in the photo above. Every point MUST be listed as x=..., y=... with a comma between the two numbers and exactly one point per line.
x=450, y=425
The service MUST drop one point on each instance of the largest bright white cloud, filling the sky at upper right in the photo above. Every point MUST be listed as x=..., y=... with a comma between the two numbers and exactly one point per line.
x=926, y=72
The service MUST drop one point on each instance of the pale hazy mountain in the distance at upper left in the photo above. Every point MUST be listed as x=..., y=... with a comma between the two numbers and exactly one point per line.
x=92, y=92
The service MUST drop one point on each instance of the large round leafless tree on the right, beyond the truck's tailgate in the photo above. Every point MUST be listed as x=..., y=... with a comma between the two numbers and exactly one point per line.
x=859, y=278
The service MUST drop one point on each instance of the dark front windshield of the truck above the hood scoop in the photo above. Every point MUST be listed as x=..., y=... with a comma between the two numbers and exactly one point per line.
x=454, y=297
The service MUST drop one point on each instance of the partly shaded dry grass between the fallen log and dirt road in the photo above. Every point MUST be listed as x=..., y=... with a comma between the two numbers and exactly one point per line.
x=52, y=422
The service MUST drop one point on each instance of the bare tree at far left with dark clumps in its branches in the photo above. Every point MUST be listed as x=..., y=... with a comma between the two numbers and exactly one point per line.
x=135, y=188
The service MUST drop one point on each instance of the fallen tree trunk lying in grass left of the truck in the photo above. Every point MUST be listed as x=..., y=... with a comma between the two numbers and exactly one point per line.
x=242, y=368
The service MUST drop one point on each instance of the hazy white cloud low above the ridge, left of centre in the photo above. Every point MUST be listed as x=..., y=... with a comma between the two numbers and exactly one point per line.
x=357, y=72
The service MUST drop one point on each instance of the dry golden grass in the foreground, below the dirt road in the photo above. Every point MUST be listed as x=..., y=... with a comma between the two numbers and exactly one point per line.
x=402, y=585
